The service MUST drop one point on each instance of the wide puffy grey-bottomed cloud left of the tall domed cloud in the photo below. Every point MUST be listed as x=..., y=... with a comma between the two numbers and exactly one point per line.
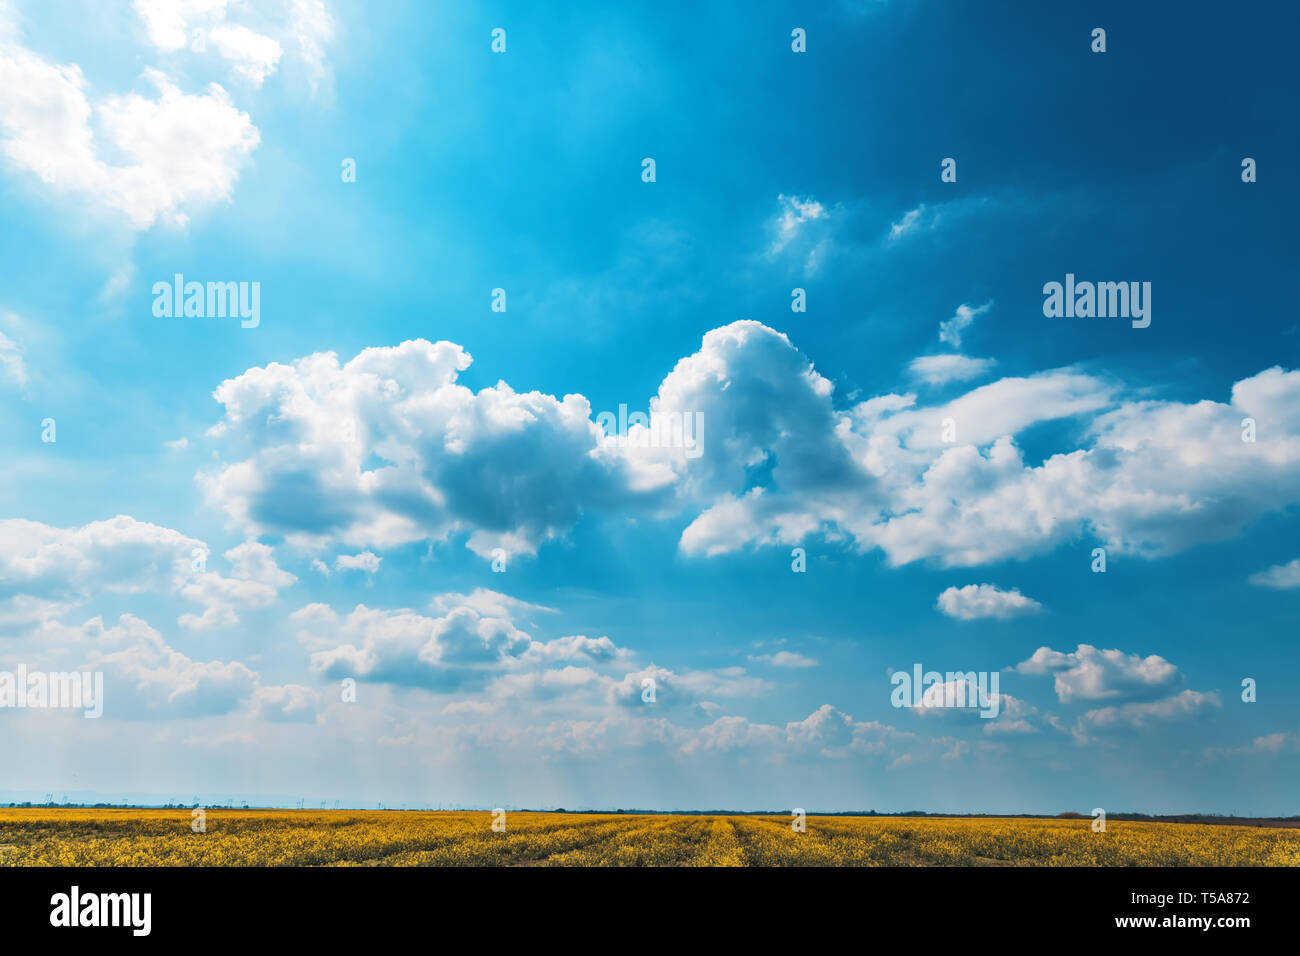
x=389, y=449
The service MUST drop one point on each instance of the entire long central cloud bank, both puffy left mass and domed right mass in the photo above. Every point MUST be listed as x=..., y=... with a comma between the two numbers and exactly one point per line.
x=389, y=448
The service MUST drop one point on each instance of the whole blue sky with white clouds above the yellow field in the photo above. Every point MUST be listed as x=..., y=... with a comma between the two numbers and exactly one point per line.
x=395, y=535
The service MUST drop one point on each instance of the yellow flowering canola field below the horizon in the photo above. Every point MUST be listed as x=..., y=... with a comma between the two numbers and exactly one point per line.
x=55, y=837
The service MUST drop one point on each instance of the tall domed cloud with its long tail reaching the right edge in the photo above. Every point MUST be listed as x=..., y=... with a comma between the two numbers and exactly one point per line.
x=1151, y=478
